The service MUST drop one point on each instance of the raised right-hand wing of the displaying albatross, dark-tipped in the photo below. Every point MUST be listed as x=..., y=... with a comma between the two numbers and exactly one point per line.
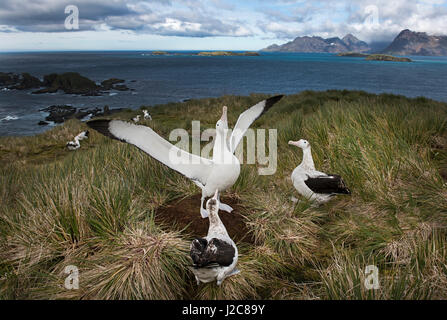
x=247, y=117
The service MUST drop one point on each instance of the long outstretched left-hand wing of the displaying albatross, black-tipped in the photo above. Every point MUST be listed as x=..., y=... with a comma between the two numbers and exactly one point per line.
x=192, y=166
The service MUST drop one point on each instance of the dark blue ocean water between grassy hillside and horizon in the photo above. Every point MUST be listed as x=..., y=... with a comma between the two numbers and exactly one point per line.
x=162, y=79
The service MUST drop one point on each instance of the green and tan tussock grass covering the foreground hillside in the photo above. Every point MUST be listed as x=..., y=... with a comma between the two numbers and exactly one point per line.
x=95, y=208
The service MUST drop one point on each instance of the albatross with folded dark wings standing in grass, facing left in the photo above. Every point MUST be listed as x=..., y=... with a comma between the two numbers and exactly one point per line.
x=314, y=185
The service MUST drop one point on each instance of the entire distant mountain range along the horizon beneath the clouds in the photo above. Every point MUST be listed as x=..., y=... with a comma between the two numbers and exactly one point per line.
x=406, y=43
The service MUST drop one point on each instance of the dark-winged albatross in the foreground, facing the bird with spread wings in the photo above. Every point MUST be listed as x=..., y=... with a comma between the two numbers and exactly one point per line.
x=215, y=256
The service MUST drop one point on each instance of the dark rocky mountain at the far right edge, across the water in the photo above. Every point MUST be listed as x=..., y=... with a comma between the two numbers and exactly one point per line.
x=409, y=42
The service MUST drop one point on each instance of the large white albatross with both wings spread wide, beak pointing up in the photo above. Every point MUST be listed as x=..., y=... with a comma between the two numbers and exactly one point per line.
x=219, y=173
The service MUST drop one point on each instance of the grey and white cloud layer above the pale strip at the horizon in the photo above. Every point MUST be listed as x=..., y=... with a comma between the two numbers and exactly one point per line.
x=278, y=21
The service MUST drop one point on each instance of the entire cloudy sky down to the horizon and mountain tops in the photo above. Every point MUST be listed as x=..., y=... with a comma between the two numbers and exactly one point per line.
x=207, y=24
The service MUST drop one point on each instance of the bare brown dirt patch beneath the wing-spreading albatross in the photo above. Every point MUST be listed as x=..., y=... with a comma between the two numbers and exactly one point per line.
x=184, y=214
